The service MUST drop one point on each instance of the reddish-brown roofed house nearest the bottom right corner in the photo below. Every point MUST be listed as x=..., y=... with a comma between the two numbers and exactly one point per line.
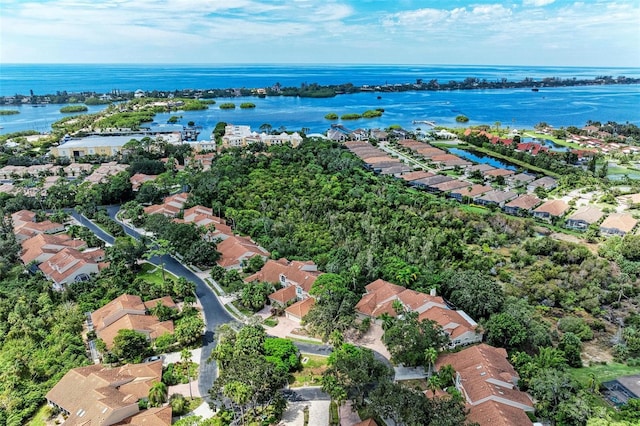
x=483, y=374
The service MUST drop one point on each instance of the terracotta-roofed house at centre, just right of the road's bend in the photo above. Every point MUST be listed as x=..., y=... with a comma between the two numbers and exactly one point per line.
x=295, y=277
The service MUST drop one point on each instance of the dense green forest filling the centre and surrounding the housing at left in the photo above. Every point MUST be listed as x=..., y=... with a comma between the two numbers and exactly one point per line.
x=542, y=299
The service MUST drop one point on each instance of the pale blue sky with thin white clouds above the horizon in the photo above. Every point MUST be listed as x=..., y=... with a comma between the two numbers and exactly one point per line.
x=512, y=32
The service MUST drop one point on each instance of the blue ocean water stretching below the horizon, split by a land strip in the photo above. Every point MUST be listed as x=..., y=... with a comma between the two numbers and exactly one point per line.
x=515, y=108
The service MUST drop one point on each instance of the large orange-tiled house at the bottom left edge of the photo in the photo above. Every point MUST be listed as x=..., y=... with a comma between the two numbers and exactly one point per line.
x=99, y=395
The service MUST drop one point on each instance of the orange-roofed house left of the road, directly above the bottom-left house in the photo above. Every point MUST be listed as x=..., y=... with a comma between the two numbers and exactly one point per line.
x=130, y=312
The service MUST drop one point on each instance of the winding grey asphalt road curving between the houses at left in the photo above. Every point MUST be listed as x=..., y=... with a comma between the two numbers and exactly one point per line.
x=214, y=313
